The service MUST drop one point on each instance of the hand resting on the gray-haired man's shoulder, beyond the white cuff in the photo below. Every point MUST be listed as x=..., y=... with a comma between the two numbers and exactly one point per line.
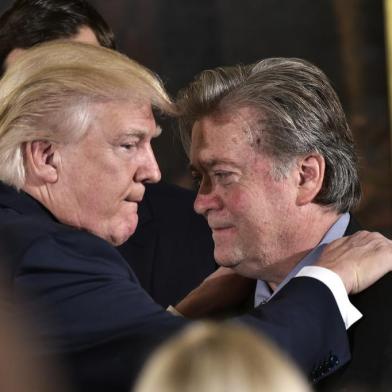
x=360, y=260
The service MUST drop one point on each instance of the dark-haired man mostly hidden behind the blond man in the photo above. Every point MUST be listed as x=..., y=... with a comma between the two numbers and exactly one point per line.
x=169, y=231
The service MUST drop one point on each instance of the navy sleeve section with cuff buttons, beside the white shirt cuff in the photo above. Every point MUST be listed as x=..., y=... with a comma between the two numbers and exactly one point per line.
x=304, y=320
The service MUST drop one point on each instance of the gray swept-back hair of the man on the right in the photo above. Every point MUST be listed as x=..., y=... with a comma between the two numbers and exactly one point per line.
x=296, y=112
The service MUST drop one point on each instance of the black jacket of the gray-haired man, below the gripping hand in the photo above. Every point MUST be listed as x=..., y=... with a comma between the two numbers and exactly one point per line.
x=370, y=340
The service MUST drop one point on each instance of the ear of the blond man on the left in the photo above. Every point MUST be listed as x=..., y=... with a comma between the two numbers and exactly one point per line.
x=41, y=158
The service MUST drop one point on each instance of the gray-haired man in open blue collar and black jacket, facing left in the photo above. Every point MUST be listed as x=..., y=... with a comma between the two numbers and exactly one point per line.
x=275, y=160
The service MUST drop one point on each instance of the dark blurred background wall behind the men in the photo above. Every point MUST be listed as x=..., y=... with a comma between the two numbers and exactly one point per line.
x=179, y=38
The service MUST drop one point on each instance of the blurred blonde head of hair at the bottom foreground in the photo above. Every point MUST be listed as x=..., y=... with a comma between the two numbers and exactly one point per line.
x=219, y=358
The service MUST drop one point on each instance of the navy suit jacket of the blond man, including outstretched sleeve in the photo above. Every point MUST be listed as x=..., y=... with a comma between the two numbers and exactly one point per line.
x=91, y=311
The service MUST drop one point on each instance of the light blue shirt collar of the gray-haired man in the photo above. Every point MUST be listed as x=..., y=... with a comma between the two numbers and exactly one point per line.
x=263, y=292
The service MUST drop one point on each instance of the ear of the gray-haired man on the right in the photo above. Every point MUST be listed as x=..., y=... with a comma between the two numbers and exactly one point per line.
x=311, y=170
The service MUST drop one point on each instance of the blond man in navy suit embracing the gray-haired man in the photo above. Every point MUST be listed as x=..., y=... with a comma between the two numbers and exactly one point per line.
x=75, y=151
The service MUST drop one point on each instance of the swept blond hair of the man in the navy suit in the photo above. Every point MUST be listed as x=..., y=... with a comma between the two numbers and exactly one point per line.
x=47, y=92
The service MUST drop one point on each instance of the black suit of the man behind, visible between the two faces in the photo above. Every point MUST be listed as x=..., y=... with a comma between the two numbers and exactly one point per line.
x=172, y=250
